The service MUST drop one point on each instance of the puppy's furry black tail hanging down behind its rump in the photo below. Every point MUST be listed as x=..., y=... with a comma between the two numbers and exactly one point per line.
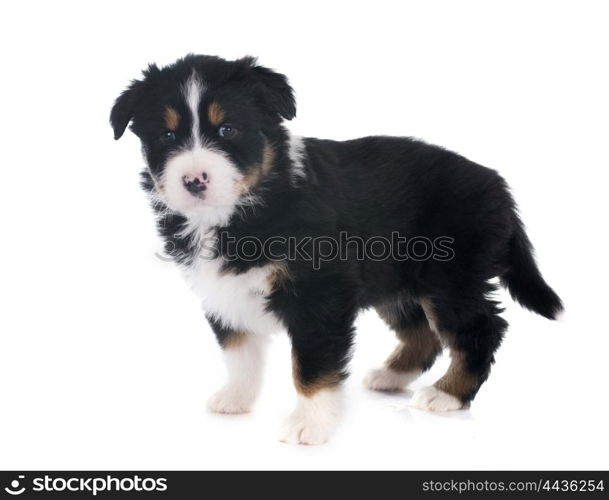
x=523, y=279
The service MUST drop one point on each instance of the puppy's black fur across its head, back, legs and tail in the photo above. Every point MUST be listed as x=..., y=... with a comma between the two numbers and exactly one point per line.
x=368, y=187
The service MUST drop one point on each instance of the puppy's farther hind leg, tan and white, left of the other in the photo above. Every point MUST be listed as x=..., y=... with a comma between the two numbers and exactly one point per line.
x=418, y=348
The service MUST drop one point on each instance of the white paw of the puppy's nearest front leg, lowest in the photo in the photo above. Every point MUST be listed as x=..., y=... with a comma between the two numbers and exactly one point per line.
x=313, y=420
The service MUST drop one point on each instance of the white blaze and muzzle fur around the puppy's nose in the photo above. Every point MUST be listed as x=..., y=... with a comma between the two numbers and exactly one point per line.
x=216, y=204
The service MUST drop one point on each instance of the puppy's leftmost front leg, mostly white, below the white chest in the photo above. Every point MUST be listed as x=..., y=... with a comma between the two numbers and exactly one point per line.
x=244, y=355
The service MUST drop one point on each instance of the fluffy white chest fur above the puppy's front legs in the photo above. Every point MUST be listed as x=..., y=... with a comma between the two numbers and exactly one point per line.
x=238, y=301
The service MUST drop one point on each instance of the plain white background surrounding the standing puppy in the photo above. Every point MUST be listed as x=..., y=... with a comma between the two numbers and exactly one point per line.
x=106, y=360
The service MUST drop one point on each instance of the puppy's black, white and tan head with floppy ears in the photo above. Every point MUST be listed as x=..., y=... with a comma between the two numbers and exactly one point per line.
x=205, y=125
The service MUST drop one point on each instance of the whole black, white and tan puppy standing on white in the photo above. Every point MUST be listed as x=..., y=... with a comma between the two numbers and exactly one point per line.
x=277, y=232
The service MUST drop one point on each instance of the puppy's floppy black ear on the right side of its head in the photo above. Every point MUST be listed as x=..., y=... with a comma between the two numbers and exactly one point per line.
x=276, y=92
